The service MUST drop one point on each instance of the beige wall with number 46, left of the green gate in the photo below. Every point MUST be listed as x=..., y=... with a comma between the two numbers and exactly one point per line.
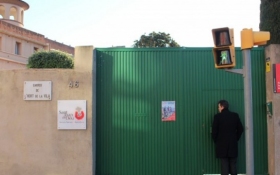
x=30, y=140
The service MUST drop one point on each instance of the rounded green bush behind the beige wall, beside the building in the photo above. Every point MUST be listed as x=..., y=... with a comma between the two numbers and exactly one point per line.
x=52, y=59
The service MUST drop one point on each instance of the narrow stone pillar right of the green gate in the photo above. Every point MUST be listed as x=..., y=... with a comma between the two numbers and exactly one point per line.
x=272, y=56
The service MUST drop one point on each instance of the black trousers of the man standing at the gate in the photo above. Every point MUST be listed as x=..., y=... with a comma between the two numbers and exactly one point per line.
x=228, y=166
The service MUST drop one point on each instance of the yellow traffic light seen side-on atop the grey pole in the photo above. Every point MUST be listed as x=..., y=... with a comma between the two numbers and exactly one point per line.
x=250, y=38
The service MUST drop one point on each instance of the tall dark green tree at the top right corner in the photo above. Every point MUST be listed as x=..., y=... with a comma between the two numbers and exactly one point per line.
x=270, y=19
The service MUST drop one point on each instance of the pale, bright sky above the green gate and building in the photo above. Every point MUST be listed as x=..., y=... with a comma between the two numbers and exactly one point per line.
x=107, y=23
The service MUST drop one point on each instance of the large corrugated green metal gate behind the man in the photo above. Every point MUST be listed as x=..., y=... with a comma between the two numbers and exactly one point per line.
x=132, y=83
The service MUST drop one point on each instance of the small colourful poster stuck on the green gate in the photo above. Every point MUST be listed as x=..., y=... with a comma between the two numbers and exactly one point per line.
x=168, y=111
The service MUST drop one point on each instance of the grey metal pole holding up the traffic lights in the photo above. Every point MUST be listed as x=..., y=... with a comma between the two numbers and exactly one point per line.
x=248, y=111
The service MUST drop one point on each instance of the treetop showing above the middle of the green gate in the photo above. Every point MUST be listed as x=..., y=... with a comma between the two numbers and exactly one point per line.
x=154, y=39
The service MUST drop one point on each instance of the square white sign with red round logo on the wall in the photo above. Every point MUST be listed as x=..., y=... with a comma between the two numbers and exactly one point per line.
x=71, y=114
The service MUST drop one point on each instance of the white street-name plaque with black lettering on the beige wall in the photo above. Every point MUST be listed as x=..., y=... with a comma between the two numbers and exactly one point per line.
x=37, y=90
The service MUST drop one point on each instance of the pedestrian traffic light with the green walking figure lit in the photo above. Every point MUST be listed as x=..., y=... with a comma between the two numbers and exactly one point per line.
x=224, y=52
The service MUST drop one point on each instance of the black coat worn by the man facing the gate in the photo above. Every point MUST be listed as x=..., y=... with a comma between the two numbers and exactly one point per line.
x=226, y=131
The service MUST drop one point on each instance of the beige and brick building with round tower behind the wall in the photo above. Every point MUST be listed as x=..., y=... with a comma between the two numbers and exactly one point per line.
x=18, y=43
